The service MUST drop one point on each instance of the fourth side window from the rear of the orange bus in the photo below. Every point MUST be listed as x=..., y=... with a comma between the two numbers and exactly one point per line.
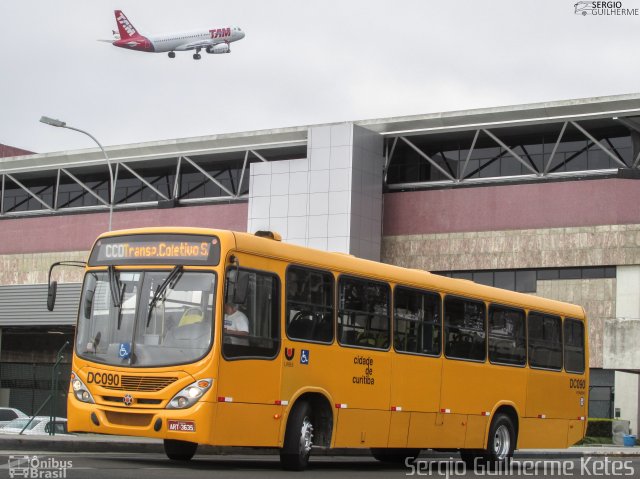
x=464, y=329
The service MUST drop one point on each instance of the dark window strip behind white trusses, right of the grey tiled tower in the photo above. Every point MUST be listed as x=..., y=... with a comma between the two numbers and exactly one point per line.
x=533, y=144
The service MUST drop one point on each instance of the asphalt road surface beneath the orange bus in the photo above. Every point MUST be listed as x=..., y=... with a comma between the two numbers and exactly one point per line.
x=156, y=466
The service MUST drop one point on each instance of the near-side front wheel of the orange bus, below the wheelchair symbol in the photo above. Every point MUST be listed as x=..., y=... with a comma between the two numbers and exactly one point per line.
x=298, y=438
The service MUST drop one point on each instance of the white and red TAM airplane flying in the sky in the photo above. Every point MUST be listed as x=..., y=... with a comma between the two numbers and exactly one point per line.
x=215, y=40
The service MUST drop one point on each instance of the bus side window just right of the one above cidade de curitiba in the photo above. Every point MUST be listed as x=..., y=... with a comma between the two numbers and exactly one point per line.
x=416, y=321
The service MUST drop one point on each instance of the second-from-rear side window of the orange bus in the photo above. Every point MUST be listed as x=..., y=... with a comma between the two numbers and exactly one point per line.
x=545, y=341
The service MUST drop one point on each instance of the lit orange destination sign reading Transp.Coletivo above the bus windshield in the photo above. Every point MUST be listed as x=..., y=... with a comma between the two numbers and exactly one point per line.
x=156, y=249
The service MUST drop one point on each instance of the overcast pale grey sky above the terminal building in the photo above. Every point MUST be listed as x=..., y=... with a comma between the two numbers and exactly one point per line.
x=302, y=62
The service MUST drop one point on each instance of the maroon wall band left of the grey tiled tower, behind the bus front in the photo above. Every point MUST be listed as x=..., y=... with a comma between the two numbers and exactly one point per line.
x=78, y=232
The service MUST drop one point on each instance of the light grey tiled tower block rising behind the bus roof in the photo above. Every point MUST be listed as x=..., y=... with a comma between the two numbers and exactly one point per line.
x=331, y=200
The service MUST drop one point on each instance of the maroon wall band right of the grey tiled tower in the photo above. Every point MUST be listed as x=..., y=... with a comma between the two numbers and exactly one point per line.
x=508, y=207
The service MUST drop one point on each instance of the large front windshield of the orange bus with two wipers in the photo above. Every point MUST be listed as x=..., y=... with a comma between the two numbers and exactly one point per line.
x=146, y=318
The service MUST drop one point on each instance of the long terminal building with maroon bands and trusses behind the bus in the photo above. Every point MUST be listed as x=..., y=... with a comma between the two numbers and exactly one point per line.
x=539, y=198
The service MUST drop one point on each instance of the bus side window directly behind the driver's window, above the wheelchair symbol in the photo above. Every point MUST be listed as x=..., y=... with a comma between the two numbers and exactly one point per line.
x=309, y=310
